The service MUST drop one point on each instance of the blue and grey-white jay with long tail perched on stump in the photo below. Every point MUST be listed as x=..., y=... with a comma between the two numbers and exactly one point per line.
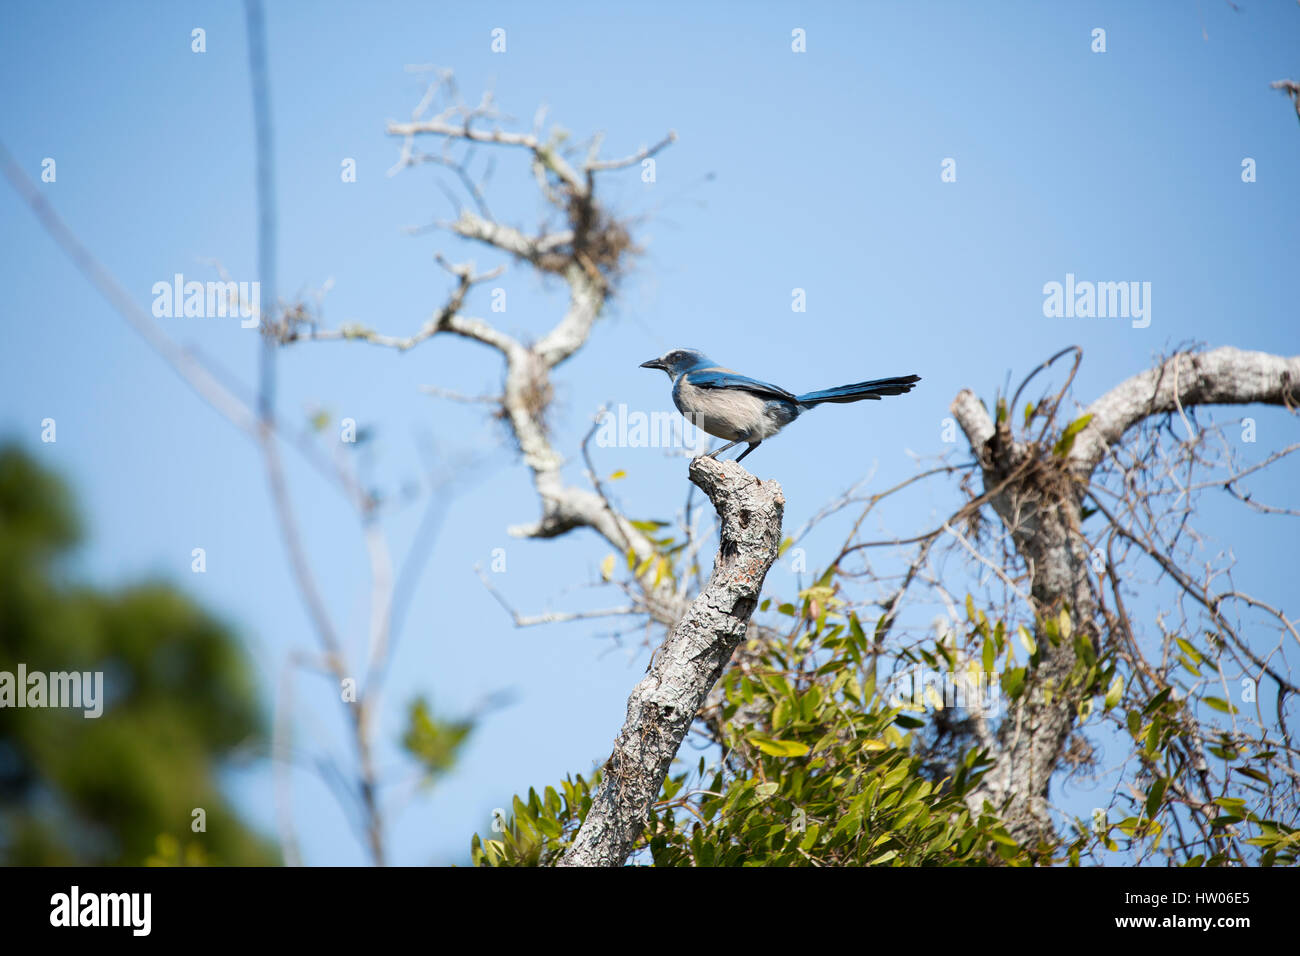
x=736, y=408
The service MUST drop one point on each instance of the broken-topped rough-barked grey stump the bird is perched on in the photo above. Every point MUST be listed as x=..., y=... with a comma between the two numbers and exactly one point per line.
x=688, y=664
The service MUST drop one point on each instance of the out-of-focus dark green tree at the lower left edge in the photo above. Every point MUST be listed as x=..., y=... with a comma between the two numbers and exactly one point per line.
x=179, y=702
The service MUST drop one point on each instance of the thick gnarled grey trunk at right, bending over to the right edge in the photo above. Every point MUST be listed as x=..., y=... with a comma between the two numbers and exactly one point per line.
x=1038, y=495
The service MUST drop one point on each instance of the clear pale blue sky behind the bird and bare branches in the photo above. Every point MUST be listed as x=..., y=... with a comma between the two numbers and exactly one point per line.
x=817, y=171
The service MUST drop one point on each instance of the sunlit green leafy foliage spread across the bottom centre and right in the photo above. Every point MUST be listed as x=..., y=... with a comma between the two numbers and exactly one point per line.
x=822, y=768
